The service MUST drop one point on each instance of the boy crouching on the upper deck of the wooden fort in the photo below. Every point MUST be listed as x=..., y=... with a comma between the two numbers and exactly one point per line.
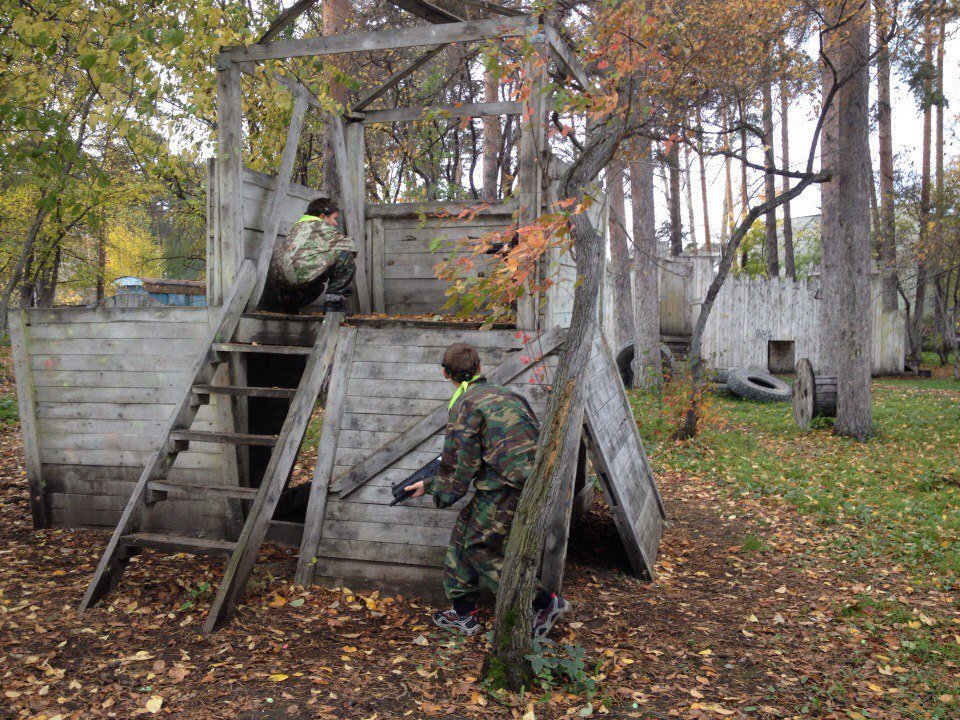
x=313, y=255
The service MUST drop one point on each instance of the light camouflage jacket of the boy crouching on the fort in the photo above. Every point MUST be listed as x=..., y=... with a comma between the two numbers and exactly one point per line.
x=308, y=251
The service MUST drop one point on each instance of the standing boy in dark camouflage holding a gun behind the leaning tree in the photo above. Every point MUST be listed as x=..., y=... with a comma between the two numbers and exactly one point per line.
x=491, y=442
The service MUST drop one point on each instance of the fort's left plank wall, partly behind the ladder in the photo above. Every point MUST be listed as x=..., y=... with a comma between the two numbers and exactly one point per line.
x=106, y=381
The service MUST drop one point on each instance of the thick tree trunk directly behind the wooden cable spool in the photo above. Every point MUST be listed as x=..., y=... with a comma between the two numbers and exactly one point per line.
x=846, y=248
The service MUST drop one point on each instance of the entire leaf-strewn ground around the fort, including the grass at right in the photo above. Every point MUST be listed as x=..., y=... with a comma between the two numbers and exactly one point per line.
x=799, y=576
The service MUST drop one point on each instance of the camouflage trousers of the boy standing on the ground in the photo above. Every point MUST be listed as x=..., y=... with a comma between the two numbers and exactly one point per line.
x=479, y=538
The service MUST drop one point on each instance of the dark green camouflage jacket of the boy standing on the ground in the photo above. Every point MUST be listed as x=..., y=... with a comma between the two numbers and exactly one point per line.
x=491, y=441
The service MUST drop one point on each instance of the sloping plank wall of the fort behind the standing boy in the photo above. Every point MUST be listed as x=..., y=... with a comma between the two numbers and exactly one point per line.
x=394, y=380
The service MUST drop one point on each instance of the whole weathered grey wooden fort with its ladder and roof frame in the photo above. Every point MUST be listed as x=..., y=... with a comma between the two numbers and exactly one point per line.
x=178, y=427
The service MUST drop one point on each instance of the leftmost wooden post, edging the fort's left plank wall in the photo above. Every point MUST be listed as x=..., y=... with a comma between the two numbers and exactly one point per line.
x=26, y=400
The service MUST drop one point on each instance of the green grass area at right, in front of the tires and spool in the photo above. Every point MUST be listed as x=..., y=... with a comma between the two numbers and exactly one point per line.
x=895, y=498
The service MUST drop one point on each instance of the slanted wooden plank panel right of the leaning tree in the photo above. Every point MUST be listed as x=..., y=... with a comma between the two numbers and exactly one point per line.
x=622, y=462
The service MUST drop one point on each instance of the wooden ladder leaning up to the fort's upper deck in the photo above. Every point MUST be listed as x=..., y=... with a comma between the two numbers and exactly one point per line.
x=153, y=486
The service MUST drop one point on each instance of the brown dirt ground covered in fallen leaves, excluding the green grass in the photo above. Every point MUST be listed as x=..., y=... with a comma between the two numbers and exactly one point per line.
x=729, y=629
